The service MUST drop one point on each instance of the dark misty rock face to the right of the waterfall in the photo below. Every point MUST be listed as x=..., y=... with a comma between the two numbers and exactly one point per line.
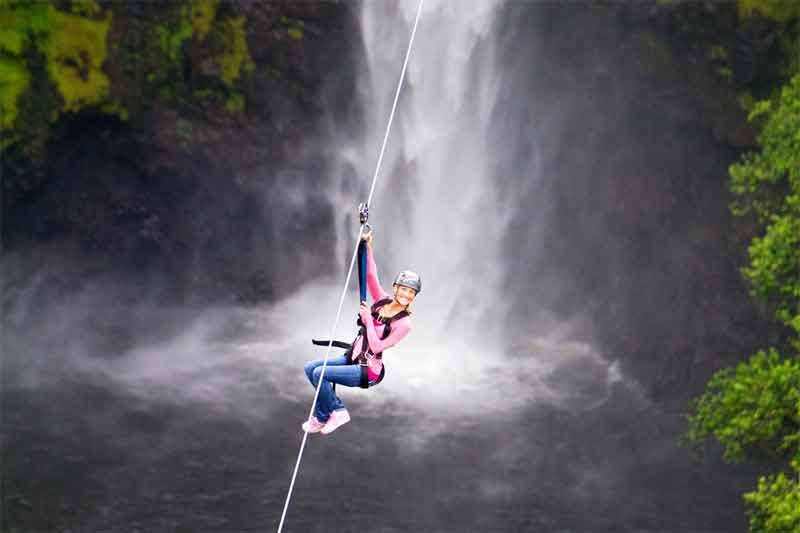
x=633, y=122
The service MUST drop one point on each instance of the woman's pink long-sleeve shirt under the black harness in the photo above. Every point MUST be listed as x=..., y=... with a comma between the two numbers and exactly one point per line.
x=375, y=329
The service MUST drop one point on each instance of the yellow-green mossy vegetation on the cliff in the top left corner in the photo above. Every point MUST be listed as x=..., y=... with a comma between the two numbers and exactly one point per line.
x=79, y=56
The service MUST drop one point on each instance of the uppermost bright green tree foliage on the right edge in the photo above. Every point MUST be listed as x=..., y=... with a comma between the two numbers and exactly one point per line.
x=767, y=184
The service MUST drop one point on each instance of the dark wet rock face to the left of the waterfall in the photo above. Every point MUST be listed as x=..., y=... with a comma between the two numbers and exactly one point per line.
x=180, y=177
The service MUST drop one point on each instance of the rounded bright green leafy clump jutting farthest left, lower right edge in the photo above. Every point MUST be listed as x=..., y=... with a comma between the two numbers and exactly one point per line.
x=757, y=405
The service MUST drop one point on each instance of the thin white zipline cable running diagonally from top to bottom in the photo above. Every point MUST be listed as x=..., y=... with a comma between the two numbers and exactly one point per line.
x=352, y=262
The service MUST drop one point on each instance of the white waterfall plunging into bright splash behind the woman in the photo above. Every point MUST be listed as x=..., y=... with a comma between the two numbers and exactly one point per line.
x=438, y=207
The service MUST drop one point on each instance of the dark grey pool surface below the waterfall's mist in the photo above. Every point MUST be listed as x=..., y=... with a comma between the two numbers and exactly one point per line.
x=80, y=457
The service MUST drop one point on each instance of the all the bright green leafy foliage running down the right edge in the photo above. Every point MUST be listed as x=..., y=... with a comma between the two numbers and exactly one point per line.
x=756, y=407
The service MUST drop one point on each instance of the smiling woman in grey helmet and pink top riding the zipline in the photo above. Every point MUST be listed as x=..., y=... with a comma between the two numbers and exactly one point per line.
x=383, y=326
